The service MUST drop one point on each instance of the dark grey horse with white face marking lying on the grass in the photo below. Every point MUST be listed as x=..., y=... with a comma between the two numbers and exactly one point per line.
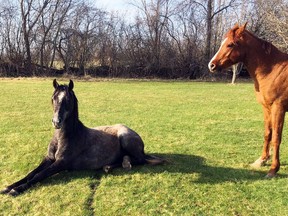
x=76, y=147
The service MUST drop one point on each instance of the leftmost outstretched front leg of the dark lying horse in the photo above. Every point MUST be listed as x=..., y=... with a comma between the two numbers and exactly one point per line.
x=46, y=162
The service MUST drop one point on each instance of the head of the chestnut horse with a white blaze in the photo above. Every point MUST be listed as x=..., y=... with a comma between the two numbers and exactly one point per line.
x=231, y=50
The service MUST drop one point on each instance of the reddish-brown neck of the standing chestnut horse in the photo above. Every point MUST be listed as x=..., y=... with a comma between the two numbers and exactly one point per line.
x=261, y=56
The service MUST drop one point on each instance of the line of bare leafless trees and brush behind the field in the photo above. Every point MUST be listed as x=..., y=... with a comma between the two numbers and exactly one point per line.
x=166, y=39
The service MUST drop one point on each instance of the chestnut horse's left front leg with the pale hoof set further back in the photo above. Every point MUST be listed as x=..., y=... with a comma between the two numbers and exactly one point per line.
x=267, y=139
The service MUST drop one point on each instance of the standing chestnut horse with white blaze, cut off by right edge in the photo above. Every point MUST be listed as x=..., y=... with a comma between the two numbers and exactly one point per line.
x=268, y=68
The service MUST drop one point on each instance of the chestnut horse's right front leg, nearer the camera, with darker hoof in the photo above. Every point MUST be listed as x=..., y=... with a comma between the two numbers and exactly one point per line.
x=278, y=116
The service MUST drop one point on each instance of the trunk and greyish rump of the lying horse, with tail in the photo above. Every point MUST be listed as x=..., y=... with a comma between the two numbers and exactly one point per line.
x=110, y=144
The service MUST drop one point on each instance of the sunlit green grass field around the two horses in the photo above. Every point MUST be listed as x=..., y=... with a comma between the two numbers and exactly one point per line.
x=209, y=133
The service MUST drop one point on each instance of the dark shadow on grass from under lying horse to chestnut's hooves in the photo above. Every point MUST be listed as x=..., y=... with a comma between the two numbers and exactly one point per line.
x=176, y=163
